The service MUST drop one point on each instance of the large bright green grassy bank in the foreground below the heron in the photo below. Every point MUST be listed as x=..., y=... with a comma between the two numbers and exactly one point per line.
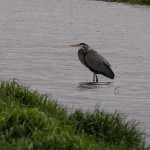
x=32, y=121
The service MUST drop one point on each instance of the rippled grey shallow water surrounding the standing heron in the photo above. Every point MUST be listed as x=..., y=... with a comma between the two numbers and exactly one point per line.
x=34, y=47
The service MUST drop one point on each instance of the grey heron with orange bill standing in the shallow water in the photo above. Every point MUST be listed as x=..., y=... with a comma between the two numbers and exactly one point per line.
x=94, y=61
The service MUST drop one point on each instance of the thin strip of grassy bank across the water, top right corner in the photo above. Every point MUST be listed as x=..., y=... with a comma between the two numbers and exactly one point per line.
x=141, y=2
